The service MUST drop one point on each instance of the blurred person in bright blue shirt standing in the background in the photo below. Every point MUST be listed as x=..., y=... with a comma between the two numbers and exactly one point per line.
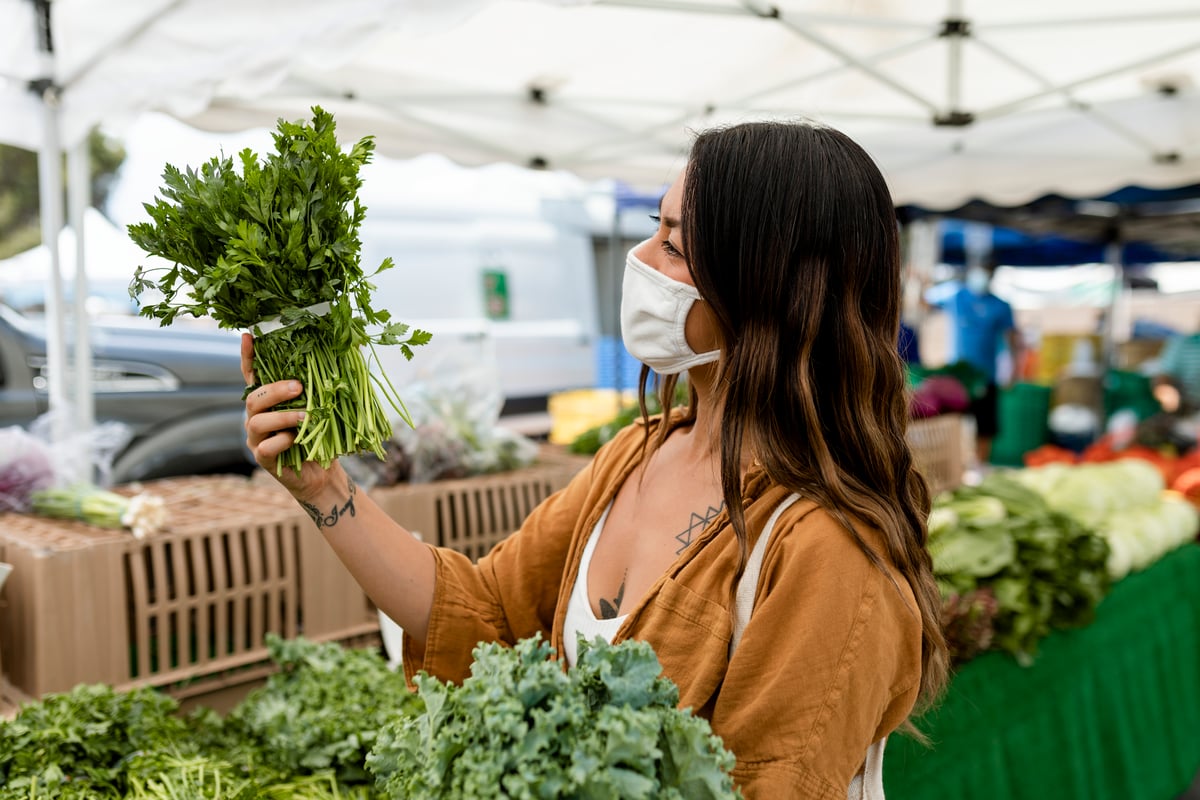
x=981, y=327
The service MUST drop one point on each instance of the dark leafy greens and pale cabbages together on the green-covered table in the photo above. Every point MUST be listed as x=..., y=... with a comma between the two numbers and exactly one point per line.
x=1034, y=550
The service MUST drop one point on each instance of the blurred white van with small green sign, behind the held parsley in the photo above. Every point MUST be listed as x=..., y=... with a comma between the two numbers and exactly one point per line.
x=497, y=263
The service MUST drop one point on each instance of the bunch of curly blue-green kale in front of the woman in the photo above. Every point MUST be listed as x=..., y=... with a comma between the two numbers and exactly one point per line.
x=523, y=729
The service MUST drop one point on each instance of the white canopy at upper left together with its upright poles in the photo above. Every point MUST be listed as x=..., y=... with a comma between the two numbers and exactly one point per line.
x=70, y=65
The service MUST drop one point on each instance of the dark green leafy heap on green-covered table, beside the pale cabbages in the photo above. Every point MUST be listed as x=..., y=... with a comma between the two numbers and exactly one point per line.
x=1043, y=569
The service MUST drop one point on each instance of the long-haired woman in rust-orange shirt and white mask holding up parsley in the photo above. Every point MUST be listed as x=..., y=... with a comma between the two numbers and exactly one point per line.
x=775, y=282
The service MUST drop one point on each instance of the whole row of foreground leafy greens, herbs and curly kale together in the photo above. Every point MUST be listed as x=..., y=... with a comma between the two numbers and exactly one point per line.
x=339, y=724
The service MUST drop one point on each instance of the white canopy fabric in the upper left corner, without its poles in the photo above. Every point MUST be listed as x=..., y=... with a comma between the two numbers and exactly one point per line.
x=116, y=58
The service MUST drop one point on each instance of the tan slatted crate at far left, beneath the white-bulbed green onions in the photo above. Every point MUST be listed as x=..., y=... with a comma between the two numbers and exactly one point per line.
x=177, y=610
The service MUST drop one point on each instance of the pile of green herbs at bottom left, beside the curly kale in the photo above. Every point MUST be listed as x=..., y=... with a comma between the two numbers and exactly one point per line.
x=304, y=736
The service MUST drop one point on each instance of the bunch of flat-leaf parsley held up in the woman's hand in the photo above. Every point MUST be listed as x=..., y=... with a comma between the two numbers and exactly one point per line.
x=279, y=242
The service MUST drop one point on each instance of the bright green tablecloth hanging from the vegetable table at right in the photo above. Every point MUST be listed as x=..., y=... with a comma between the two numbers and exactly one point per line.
x=1108, y=712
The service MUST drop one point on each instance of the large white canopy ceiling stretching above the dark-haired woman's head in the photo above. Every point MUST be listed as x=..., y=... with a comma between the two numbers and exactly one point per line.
x=1072, y=98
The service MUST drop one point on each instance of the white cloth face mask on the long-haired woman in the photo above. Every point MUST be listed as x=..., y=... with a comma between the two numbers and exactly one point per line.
x=653, y=312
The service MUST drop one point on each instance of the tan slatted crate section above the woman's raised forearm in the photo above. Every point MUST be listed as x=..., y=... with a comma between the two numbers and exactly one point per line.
x=472, y=515
